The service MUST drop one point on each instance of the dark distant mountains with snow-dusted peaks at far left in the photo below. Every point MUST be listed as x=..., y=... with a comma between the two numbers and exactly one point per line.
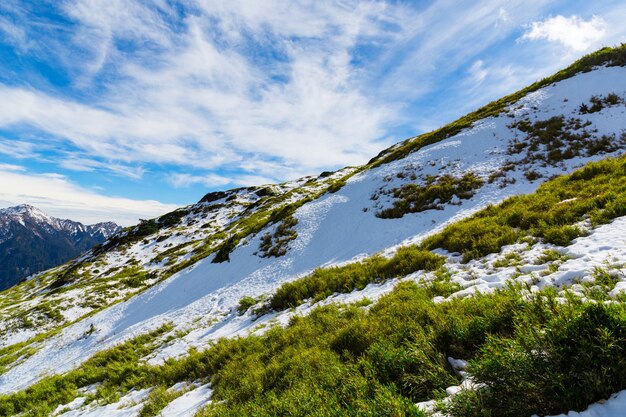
x=32, y=241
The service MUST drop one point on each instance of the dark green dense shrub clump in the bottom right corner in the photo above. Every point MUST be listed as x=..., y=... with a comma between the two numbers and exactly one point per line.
x=574, y=358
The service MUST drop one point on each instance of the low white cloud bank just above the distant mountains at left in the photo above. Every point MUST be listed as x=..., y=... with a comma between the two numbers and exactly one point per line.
x=59, y=197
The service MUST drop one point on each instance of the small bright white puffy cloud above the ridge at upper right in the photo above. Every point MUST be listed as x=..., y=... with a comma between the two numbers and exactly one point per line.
x=573, y=32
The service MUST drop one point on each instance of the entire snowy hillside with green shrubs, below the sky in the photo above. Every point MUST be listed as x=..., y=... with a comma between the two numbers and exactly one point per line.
x=478, y=270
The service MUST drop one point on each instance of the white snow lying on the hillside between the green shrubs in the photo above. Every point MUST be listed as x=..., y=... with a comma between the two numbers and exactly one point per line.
x=336, y=228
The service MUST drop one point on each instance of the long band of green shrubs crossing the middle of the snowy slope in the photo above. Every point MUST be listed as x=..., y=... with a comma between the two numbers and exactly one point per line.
x=596, y=192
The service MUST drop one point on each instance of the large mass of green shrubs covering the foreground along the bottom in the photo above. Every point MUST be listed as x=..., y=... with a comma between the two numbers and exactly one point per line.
x=532, y=354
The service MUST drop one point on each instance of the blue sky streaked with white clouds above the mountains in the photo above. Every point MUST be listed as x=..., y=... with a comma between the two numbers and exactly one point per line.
x=126, y=109
